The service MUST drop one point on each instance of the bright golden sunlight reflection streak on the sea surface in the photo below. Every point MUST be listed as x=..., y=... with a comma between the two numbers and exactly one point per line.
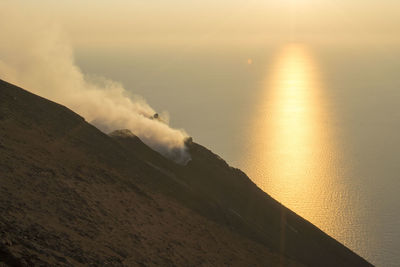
x=294, y=155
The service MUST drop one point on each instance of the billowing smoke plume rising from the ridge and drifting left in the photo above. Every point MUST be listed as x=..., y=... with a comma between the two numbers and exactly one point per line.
x=38, y=57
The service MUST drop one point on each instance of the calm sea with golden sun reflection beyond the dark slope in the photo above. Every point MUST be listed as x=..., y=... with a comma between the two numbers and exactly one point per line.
x=315, y=126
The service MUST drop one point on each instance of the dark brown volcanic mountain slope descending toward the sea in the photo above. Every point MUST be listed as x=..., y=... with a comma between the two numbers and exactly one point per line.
x=71, y=195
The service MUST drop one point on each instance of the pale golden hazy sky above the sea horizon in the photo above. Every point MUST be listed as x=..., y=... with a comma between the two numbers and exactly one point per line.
x=127, y=22
